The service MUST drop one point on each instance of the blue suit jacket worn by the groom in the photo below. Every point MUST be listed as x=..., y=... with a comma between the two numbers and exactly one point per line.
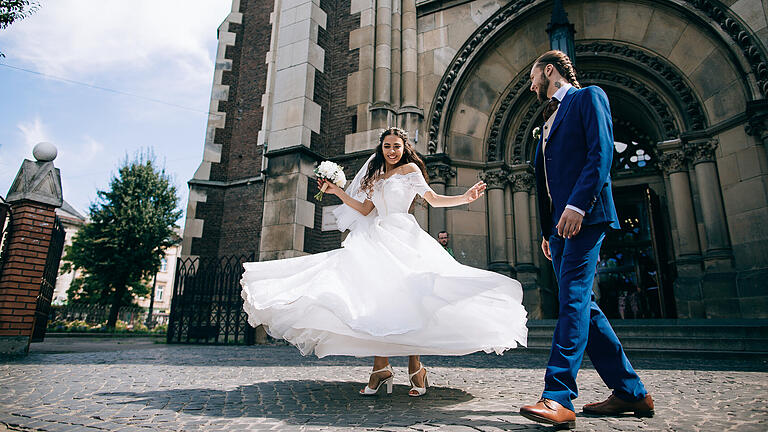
x=578, y=155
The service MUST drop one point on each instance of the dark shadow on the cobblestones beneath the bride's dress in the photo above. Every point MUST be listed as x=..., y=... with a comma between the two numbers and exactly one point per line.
x=325, y=403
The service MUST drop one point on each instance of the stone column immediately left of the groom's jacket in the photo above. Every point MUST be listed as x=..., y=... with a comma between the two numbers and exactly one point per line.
x=523, y=180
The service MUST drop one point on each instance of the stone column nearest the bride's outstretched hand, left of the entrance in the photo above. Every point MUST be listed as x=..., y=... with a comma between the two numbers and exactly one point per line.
x=496, y=179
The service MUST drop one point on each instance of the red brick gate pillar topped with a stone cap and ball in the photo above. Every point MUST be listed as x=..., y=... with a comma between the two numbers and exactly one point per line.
x=34, y=196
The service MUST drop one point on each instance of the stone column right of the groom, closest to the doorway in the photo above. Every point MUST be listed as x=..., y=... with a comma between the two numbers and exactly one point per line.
x=688, y=254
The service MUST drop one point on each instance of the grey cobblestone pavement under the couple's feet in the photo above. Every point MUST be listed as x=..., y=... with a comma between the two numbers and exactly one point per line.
x=272, y=387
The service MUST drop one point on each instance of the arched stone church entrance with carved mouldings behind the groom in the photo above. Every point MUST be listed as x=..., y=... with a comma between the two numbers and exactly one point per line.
x=673, y=88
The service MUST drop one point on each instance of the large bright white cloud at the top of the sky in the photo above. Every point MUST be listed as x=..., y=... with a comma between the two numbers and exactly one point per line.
x=83, y=40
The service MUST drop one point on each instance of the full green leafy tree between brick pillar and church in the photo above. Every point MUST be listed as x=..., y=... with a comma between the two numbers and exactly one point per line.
x=130, y=227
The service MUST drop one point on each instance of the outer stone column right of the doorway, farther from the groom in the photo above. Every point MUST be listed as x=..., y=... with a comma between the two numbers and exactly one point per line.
x=702, y=154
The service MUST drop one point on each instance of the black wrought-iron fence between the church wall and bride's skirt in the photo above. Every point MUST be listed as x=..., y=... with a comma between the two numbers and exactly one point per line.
x=206, y=307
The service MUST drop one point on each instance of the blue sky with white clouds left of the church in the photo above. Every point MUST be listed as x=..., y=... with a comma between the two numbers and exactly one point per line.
x=162, y=50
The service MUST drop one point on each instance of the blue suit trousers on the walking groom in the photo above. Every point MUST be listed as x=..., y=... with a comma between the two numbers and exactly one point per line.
x=582, y=325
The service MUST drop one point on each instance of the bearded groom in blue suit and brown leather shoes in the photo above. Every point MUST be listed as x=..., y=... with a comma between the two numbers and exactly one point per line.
x=573, y=162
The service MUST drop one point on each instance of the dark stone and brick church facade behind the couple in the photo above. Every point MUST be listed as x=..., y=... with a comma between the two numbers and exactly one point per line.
x=301, y=81
